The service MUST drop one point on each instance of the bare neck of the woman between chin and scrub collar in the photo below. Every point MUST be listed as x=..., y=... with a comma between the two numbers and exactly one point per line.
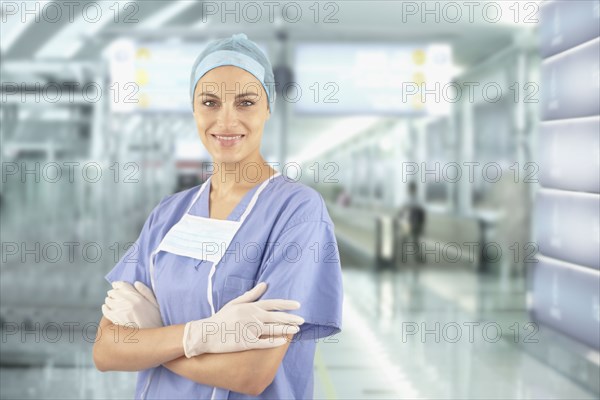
x=242, y=175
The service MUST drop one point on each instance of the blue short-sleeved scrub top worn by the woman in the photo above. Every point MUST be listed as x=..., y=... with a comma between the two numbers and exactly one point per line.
x=286, y=241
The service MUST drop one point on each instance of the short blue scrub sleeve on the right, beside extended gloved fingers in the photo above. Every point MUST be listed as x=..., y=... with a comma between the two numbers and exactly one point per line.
x=303, y=264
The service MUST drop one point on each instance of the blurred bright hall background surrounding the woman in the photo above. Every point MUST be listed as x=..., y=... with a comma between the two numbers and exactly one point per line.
x=456, y=145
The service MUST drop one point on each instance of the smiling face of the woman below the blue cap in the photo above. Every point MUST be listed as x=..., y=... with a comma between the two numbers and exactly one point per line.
x=230, y=109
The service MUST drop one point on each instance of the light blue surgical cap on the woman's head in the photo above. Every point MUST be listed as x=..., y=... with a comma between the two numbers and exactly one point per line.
x=238, y=51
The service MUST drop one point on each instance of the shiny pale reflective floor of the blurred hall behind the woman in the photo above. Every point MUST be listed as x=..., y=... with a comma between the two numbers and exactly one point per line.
x=415, y=333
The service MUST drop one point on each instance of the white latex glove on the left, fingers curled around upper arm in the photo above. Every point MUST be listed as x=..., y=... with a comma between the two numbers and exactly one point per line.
x=127, y=304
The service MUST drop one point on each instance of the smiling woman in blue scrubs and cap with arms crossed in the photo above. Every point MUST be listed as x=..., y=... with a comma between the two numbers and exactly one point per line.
x=190, y=281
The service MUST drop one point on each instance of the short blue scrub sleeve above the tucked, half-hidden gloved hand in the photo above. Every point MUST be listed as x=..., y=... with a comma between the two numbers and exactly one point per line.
x=133, y=266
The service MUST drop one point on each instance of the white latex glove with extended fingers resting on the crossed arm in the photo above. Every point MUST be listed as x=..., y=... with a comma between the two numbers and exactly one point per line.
x=239, y=325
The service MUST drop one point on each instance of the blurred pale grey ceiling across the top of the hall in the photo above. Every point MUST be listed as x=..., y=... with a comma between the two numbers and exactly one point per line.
x=357, y=21
